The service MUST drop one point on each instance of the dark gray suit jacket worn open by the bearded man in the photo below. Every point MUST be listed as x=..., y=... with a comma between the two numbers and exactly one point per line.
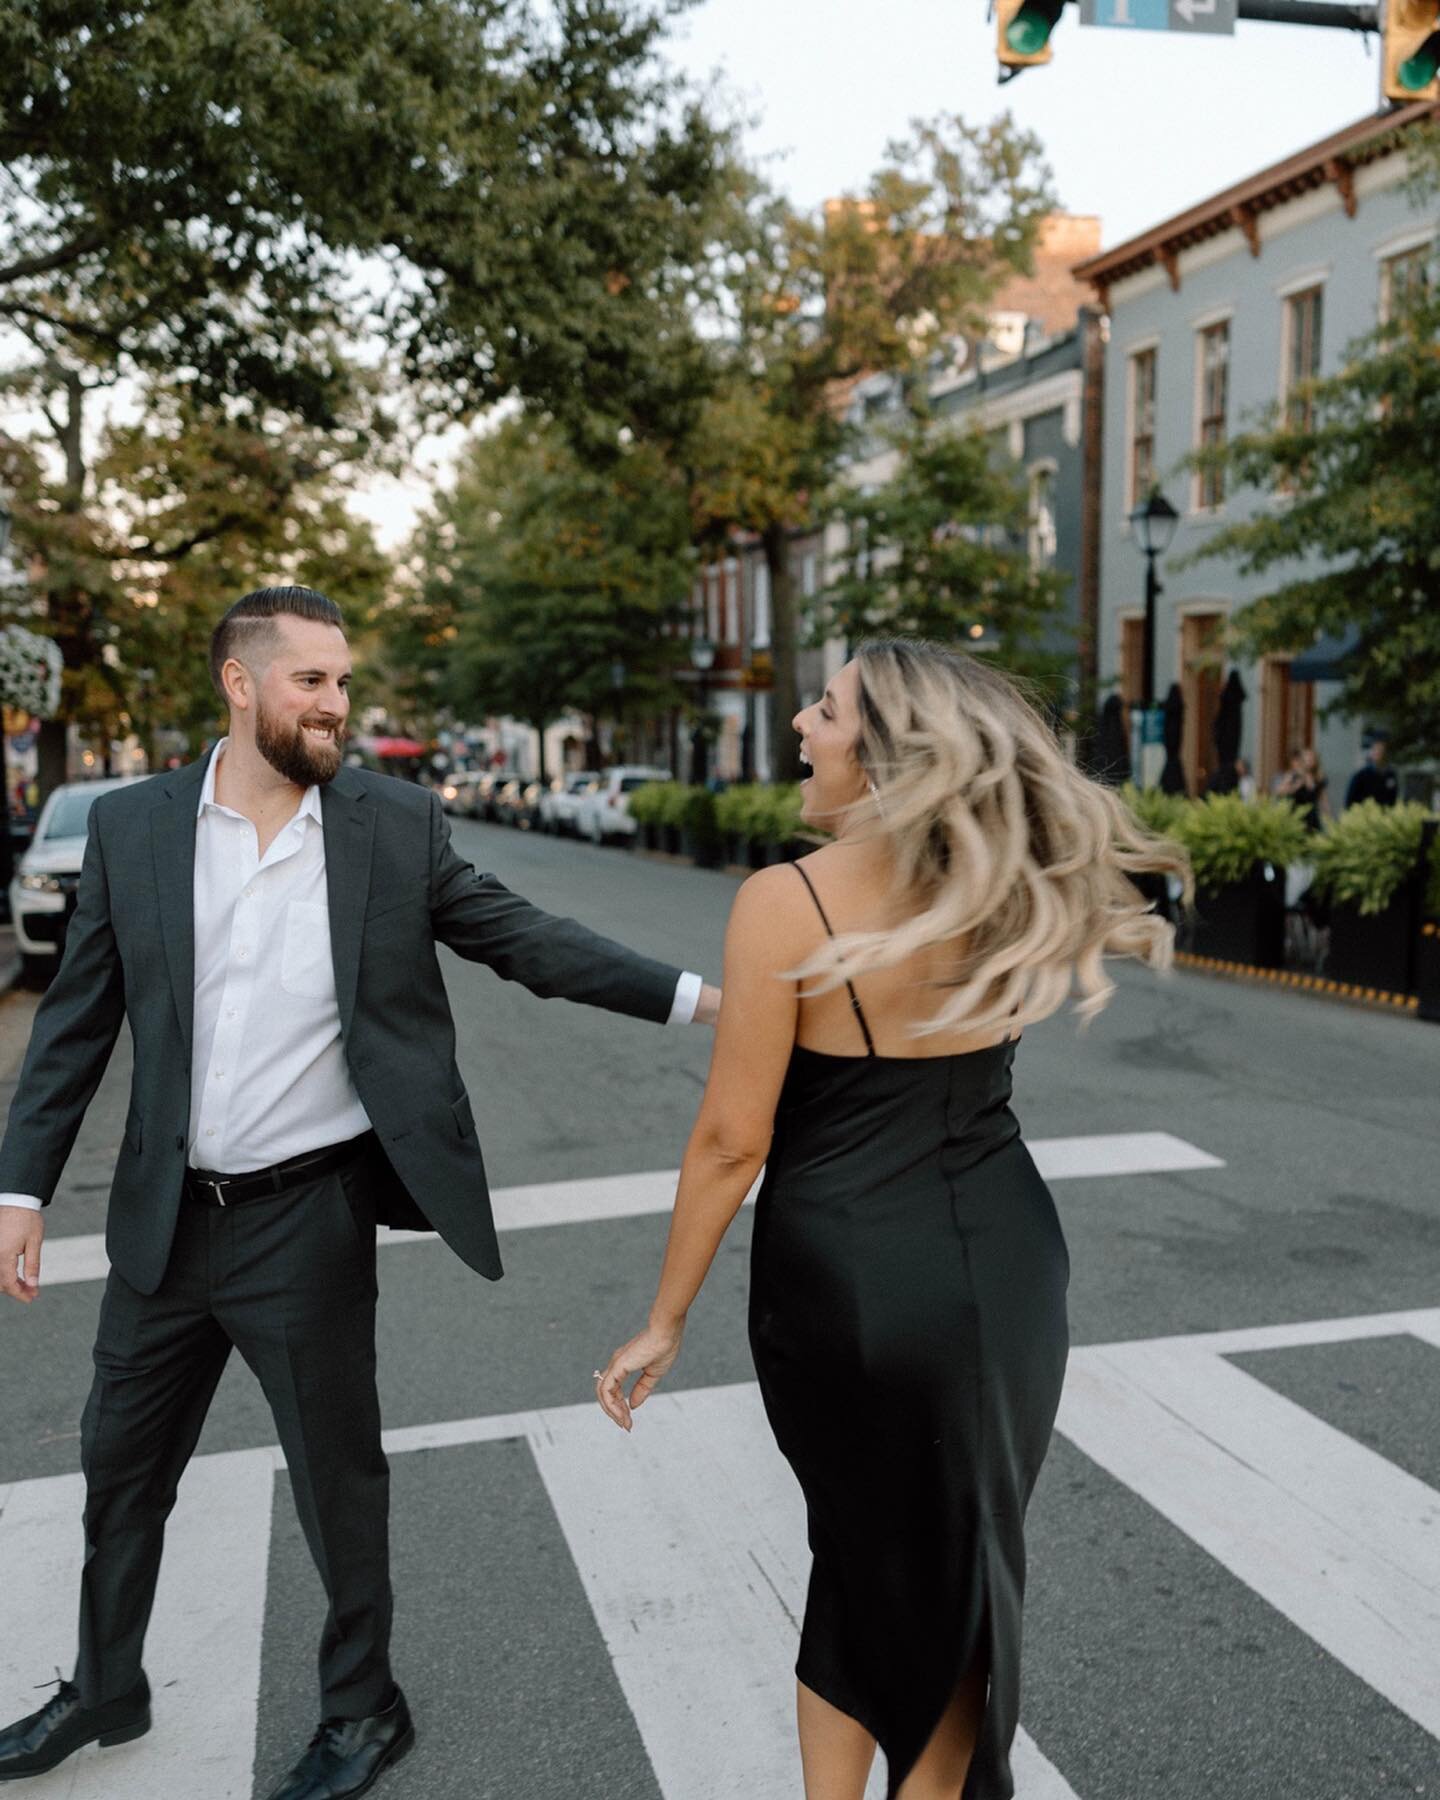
x=397, y=888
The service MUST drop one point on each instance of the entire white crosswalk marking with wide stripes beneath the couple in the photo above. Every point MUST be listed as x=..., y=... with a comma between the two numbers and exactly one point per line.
x=690, y=1542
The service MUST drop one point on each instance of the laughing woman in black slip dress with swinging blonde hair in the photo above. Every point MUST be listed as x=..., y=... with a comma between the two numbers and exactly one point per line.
x=908, y=1290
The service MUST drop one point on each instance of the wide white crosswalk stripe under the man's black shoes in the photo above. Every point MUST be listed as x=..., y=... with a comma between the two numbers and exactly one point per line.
x=204, y=1642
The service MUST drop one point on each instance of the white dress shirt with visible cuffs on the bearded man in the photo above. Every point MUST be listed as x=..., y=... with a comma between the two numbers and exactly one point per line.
x=269, y=1075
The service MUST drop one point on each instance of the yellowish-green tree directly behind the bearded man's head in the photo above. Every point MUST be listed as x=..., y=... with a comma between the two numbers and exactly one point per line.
x=190, y=510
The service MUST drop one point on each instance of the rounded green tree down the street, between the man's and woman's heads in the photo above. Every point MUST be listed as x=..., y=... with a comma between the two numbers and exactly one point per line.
x=543, y=573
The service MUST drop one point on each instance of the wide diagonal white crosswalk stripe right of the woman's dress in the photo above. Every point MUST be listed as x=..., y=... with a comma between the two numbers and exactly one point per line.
x=1331, y=1534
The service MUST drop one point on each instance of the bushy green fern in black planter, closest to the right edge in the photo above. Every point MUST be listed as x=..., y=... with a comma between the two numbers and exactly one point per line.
x=1371, y=868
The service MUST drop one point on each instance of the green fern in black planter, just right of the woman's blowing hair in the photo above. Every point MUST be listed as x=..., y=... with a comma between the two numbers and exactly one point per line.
x=1239, y=852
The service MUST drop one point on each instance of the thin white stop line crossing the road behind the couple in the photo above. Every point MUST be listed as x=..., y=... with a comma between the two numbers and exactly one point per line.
x=566, y=1203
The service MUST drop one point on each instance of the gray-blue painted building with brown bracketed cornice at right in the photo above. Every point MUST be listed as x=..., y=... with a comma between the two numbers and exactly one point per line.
x=1214, y=316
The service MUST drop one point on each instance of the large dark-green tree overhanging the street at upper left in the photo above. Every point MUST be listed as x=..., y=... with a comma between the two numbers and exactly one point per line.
x=489, y=197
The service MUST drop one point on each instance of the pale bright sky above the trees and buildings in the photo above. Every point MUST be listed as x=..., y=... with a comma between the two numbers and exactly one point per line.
x=1137, y=125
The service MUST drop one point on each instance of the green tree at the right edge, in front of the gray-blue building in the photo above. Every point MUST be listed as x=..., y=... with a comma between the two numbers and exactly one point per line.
x=1349, y=523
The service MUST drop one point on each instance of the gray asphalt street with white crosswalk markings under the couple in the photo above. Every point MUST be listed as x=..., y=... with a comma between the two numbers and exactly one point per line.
x=1234, y=1549
